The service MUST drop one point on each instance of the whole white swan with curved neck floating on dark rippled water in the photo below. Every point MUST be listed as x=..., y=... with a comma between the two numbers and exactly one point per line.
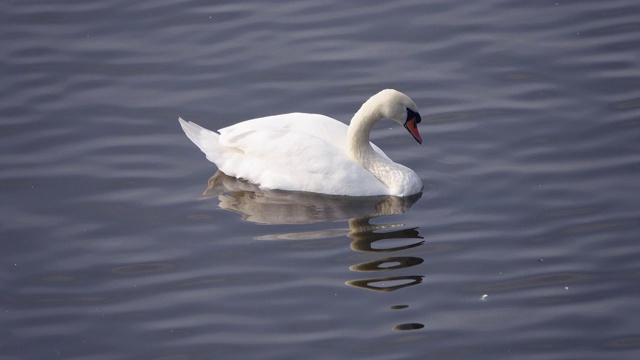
x=315, y=153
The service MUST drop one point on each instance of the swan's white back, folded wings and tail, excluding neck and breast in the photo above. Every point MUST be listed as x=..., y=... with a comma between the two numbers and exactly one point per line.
x=297, y=151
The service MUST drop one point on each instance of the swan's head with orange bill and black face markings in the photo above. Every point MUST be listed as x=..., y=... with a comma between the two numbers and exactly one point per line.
x=399, y=107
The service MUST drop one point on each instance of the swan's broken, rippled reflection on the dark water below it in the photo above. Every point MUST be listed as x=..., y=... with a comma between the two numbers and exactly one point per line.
x=285, y=207
